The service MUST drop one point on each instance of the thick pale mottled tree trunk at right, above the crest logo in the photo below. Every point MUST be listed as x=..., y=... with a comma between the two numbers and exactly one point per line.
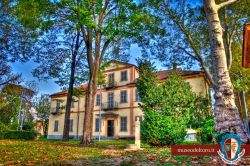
x=226, y=113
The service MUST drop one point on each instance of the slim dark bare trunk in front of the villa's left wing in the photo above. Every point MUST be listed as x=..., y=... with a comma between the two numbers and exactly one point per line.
x=70, y=90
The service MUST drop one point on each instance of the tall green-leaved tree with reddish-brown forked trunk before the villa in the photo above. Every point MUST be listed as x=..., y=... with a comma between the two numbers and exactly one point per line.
x=104, y=25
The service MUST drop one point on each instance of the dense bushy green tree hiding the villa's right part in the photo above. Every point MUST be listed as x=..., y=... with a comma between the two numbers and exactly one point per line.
x=168, y=107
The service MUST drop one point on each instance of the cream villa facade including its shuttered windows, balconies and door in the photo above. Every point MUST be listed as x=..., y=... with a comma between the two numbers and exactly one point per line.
x=116, y=104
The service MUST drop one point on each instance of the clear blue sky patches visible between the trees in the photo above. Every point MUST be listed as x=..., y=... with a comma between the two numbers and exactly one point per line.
x=49, y=87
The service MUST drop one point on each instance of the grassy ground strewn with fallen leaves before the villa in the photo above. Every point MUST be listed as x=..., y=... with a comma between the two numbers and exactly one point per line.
x=48, y=152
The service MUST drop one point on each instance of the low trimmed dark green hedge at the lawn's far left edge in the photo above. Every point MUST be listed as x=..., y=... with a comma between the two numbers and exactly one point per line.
x=15, y=134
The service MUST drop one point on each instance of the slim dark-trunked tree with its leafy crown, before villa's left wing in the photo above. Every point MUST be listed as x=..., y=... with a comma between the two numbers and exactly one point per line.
x=63, y=59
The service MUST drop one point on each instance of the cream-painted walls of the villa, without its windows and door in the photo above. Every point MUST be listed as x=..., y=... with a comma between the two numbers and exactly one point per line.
x=130, y=109
